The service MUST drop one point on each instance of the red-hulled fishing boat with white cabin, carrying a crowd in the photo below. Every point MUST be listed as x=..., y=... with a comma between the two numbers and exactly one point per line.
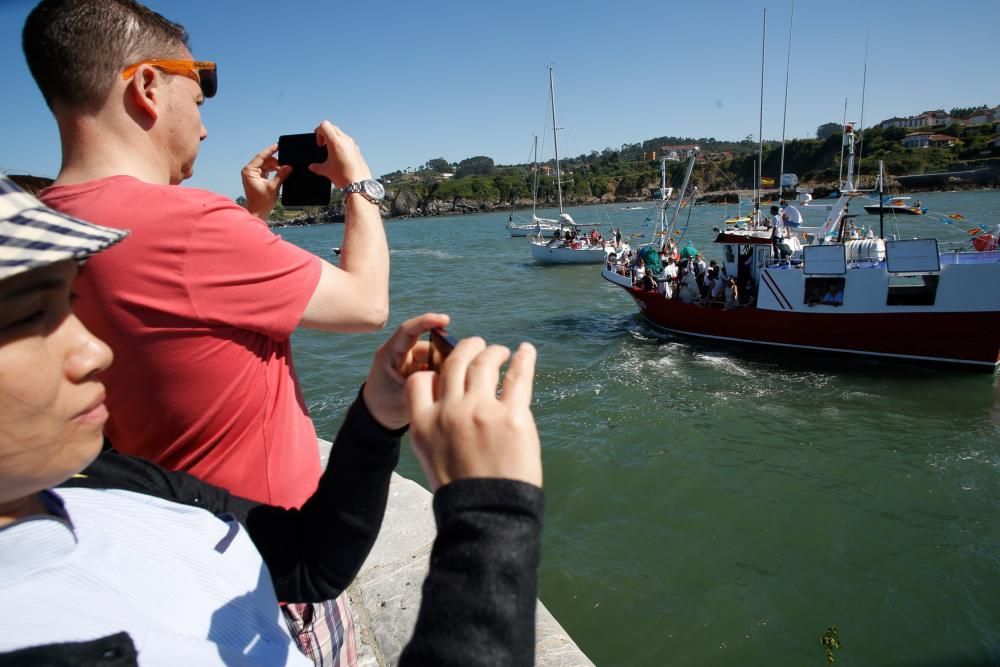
x=907, y=299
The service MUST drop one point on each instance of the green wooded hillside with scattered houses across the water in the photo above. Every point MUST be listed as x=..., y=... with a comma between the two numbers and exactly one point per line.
x=935, y=149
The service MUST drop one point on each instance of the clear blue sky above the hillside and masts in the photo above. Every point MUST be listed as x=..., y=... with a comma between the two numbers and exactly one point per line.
x=411, y=81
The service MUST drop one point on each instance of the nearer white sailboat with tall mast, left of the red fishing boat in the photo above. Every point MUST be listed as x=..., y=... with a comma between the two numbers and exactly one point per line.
x=568, y=247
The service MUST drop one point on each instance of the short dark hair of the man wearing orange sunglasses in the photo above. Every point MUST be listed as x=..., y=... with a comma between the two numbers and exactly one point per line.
x=75, y=48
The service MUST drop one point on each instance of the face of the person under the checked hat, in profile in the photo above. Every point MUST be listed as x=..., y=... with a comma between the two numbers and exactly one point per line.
x=52, y=410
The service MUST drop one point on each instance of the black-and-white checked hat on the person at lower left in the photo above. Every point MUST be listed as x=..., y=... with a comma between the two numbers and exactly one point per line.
x=34, y=235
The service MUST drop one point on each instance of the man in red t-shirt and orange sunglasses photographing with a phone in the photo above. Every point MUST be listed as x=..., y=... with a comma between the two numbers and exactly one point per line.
x=200, y=307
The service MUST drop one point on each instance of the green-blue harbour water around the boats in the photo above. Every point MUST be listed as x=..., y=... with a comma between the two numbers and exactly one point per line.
x=713, y=506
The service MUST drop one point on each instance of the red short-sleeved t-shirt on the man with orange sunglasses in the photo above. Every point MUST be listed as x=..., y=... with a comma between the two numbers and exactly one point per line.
x=198, y=305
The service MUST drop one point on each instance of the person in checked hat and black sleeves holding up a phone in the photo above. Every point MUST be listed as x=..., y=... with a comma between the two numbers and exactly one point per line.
x=111, y=560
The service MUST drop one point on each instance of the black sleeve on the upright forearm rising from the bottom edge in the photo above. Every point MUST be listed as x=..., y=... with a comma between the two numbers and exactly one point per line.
x=478, y=604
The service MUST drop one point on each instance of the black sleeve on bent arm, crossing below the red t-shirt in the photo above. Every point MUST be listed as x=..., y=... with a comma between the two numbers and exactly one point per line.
x=313, y=552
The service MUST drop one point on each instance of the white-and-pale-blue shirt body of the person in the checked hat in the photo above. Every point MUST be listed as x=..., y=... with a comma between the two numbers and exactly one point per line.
x=188, y=587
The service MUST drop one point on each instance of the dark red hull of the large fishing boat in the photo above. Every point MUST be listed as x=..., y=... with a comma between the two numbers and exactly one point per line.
x=968, y=338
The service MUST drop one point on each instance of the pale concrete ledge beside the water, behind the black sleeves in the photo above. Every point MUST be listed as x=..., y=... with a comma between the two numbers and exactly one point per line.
x=385, y=596
